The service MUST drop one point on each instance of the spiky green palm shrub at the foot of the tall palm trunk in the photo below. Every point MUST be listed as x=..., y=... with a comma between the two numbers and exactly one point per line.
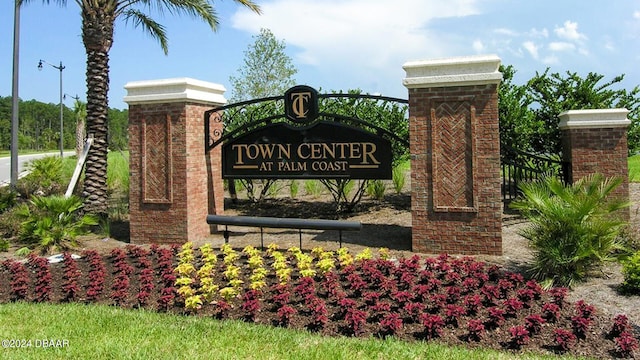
x=52, y=223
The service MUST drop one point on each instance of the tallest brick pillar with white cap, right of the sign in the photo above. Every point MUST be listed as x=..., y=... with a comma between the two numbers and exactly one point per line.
x=455, y=155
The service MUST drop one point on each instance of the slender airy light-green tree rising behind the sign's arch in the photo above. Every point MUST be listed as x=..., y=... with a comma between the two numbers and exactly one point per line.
x=266, y=71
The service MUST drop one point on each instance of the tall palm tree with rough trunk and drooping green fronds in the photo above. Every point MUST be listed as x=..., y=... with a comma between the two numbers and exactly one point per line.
x=98, y=22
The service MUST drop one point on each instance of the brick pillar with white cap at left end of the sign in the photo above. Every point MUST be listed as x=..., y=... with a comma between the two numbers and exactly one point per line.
x=174, y=184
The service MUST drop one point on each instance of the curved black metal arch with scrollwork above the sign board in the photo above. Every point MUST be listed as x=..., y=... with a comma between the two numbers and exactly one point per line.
x=278, y=103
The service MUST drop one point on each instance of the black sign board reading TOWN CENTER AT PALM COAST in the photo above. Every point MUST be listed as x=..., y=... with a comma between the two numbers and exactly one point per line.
x=323, y=150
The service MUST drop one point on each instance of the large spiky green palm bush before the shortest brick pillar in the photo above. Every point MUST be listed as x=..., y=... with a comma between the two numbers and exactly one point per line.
x=574, y=229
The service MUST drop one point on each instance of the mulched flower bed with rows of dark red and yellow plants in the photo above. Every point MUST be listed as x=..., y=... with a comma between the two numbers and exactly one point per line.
x=447, y=299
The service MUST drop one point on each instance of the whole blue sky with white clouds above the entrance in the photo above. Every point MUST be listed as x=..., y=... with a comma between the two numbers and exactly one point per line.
x=335, y=44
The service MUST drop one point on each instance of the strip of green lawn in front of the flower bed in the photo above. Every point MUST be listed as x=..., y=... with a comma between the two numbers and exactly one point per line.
x=103, y=332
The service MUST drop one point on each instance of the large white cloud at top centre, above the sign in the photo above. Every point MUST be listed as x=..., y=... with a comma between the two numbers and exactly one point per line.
x=374, y=33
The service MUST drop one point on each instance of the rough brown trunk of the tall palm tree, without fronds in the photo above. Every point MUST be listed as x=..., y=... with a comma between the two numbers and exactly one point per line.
x=97, y=35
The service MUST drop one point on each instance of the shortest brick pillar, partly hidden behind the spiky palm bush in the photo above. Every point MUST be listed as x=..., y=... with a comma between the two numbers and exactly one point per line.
x=595, y=141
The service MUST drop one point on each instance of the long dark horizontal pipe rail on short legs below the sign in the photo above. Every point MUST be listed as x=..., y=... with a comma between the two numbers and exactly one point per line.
x=285, y=223
